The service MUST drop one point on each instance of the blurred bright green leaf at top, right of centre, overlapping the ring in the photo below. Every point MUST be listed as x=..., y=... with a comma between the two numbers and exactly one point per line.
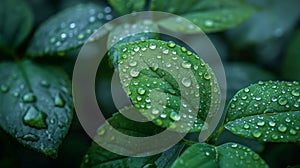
x=210, y=18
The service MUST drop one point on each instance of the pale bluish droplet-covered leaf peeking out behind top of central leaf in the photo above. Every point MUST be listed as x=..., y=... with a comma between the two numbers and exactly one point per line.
x=127, y=33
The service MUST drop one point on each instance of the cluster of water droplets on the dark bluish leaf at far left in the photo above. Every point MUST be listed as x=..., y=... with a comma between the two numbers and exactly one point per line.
x=32, y=115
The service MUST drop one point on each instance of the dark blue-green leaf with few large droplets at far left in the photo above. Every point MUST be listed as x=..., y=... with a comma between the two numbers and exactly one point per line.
x=36, y=105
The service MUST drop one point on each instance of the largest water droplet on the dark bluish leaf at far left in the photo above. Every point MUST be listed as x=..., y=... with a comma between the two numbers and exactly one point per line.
x=35, y=118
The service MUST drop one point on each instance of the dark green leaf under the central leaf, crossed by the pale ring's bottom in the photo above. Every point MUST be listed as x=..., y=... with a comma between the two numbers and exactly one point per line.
x=99, y=157
